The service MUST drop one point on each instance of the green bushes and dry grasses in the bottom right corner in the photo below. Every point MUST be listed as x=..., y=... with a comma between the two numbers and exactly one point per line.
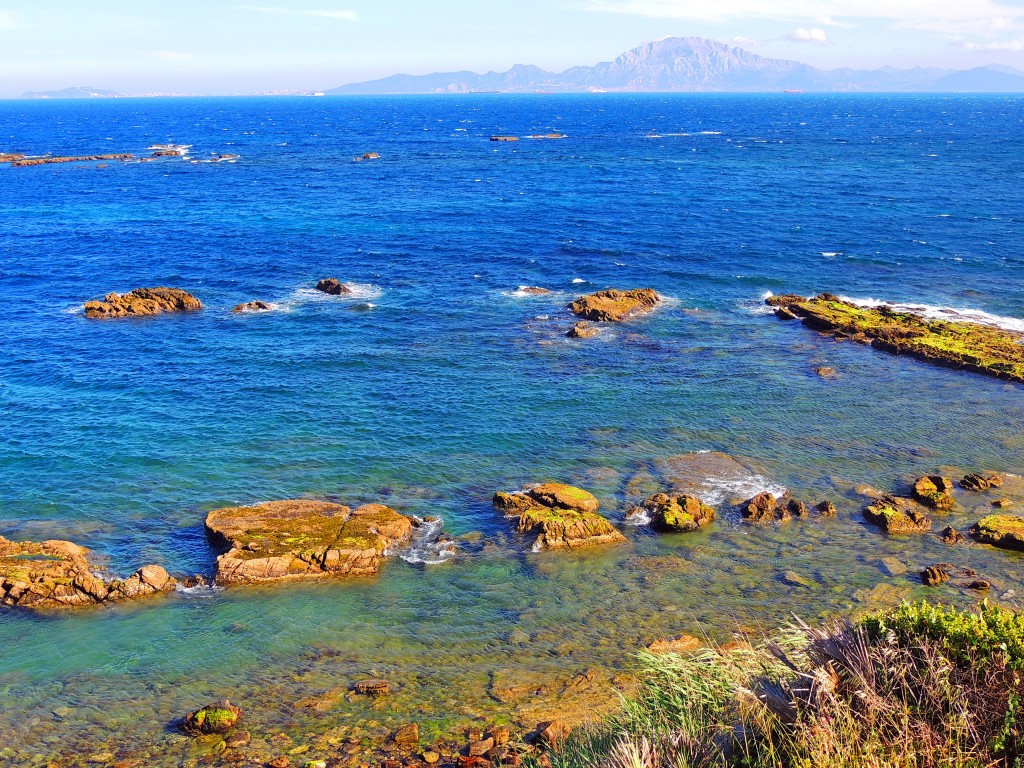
x=919, y=687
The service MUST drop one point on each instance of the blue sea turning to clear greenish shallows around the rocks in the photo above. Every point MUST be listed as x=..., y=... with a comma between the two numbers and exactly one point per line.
x=121, y=436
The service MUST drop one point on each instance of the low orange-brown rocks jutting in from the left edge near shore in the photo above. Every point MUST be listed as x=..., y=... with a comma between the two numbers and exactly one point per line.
x=57, y=574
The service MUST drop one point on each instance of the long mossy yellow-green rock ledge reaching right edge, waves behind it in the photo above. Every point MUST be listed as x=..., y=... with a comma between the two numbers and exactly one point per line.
x=971, y=347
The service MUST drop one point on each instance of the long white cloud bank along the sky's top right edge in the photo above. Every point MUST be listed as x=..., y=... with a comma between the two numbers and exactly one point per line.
x=952, y=17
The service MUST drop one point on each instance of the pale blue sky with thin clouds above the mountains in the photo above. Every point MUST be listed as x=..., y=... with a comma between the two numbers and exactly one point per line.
x=209, y=47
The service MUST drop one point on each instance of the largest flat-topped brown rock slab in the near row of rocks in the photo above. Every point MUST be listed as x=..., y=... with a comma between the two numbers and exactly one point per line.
x=302, y=539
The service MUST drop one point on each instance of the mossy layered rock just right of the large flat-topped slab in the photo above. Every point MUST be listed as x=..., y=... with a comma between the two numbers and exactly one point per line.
x=562, y=518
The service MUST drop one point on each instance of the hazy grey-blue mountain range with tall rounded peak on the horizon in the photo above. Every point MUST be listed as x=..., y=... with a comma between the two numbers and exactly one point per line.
x=691, y=64
